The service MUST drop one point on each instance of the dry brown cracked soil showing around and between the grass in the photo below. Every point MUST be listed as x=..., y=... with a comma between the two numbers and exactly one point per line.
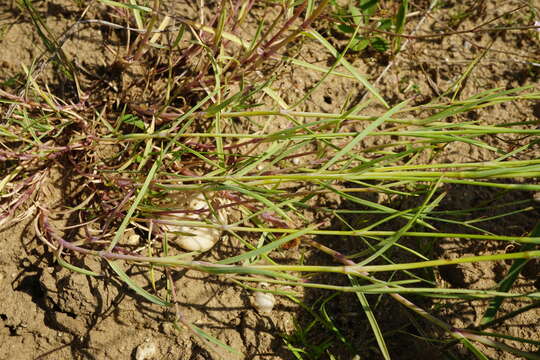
x=48, y=312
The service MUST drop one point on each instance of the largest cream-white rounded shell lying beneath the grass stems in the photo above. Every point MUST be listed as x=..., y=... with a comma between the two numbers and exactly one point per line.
x=193, y=238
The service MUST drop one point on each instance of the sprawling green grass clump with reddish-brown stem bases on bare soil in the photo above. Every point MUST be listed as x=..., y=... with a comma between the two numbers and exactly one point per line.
x=198, y=118
